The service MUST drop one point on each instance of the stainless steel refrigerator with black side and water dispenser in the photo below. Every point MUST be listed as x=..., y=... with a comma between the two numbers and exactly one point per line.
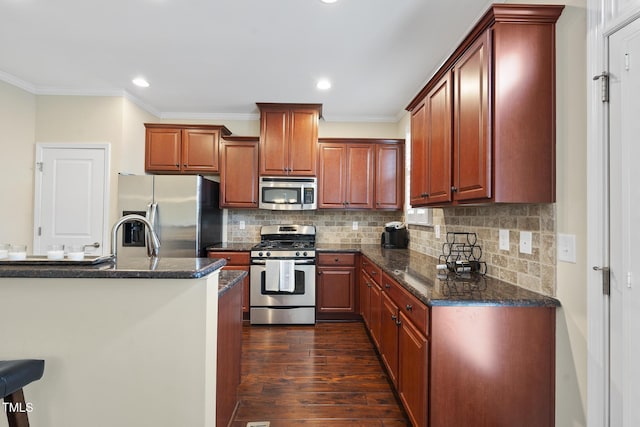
x=187, y=216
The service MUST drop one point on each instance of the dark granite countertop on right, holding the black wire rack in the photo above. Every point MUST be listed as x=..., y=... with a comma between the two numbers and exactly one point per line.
x=417, y=273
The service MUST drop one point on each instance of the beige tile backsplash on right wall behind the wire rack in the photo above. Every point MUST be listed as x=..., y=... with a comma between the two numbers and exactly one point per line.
x=536, y=272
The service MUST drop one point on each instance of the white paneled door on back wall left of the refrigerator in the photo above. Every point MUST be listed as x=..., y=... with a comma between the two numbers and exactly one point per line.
x=71, y=197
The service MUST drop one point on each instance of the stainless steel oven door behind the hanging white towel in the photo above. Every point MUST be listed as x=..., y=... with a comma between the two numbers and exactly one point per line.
x=304, y=294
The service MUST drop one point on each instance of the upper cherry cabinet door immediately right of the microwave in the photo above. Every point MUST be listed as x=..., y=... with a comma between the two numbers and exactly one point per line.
x=332, y=176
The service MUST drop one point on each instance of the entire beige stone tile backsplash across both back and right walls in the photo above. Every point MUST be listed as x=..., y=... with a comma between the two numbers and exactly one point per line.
x=536, y=272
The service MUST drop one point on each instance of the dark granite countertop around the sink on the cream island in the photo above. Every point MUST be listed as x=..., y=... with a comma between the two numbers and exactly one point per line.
x=125, y=268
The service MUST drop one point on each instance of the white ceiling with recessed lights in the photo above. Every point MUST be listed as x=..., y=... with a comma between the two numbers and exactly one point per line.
x=217, y=58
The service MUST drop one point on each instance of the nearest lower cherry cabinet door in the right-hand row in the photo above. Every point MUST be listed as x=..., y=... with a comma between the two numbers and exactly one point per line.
x=413, y=356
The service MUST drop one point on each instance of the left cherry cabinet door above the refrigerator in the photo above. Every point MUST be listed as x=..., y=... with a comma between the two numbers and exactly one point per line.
x=163, y=147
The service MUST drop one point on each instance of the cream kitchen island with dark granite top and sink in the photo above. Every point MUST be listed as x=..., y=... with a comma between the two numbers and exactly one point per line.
x=132, y=342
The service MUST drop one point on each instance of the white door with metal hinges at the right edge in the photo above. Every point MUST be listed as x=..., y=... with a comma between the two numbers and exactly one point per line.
x=624, y=226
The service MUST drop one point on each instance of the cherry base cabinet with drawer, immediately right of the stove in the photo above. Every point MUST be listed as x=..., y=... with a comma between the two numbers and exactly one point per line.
x=336, y=286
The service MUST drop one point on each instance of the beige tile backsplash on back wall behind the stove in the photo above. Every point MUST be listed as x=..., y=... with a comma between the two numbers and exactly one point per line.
x=331, y=226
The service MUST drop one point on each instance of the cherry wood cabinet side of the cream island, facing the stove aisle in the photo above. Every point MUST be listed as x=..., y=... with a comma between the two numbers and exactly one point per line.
x=229, y=354
